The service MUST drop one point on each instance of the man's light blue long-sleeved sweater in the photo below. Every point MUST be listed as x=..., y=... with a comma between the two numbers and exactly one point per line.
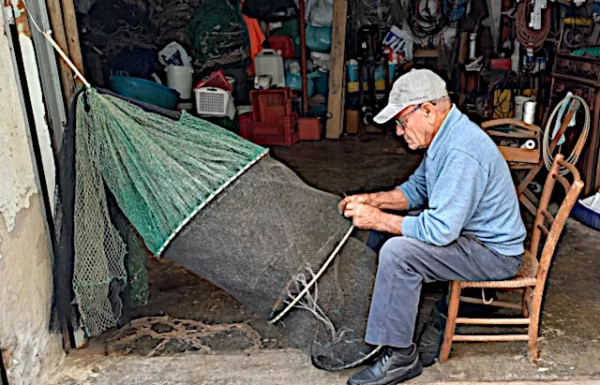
x=469, y=188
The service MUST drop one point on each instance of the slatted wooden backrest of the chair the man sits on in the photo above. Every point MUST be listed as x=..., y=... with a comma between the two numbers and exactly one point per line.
x=548, y=225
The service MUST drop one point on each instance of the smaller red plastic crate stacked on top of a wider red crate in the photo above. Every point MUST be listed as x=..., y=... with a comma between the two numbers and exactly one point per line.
x=271, y=105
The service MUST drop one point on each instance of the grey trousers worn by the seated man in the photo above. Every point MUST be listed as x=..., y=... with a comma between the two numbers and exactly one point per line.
x=405, y=263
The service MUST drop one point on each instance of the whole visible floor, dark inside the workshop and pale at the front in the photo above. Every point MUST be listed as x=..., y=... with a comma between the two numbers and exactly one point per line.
x=570, y=332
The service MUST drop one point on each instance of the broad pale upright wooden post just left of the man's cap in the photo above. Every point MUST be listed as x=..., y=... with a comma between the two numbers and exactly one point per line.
x=337, y=92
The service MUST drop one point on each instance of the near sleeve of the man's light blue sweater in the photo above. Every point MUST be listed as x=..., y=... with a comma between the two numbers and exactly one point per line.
x=457, y=192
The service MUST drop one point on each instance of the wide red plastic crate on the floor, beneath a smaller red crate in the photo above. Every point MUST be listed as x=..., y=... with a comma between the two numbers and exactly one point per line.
x=281, y=133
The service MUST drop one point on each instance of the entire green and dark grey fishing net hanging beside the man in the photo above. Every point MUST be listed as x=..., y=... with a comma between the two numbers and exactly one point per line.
x=221, y=207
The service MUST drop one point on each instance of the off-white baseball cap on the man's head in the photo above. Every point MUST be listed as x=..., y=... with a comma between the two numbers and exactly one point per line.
x=414, y=87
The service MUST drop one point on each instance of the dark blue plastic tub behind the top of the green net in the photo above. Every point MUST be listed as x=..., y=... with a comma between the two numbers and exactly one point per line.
x=145, y=91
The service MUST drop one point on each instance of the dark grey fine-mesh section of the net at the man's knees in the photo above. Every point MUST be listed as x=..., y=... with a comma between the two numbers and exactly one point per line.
x=266, y=235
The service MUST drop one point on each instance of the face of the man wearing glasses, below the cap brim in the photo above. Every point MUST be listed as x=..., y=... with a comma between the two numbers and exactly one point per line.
x=412, y=124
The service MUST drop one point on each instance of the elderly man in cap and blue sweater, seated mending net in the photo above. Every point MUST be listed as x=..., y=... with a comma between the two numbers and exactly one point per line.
x=471, y=228
